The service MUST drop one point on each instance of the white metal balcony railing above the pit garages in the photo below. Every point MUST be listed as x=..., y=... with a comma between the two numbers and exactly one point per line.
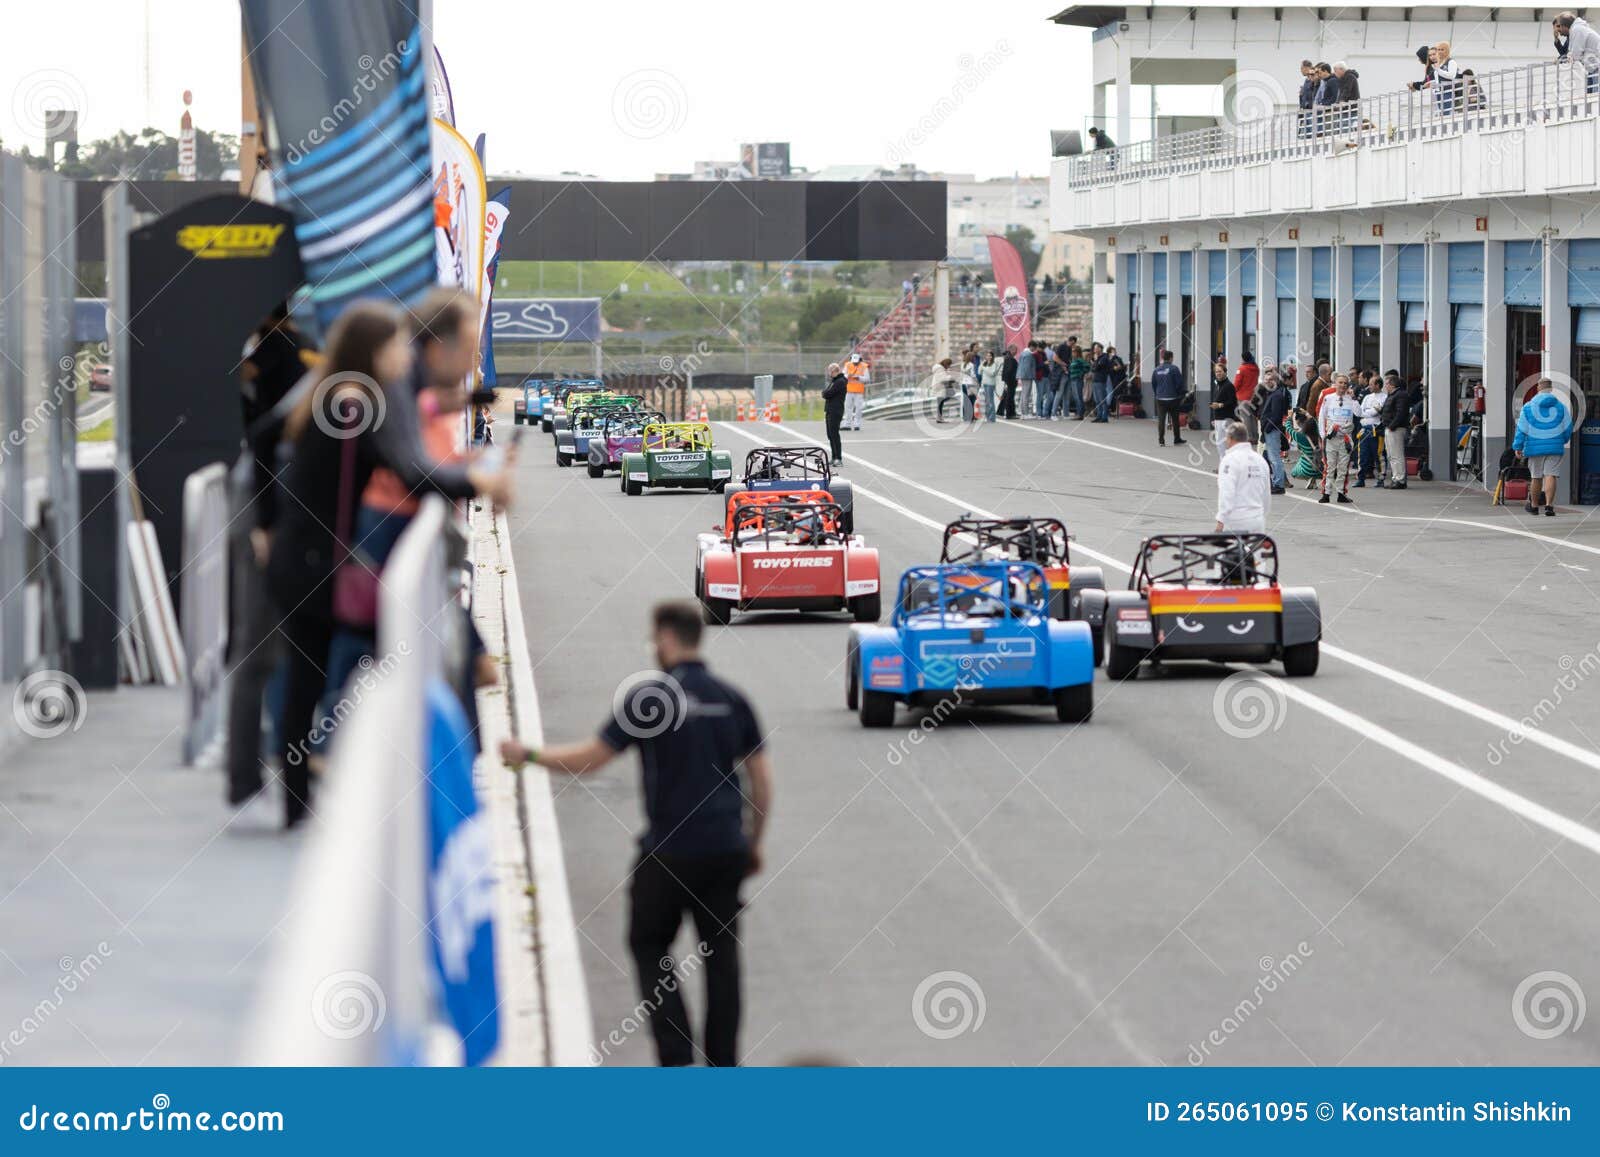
x=1513, y=98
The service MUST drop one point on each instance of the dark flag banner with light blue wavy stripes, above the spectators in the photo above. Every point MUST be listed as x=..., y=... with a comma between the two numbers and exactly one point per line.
x=353, y=143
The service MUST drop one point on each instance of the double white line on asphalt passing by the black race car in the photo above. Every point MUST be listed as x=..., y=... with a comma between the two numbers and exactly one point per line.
x=1487, y=790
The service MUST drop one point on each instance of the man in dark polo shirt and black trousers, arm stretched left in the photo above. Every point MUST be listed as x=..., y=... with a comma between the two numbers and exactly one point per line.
x=695, y=735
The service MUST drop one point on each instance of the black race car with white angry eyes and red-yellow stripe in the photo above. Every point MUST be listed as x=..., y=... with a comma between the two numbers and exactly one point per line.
x=1210, y=598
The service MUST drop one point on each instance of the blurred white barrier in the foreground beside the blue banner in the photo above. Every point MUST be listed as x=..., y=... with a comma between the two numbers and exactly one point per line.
x=354, y=980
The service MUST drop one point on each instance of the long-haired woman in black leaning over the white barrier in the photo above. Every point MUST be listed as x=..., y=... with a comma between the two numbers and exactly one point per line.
x=358, y=417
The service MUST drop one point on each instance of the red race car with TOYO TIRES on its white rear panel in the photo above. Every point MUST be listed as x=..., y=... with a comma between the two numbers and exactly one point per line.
x=783, y=550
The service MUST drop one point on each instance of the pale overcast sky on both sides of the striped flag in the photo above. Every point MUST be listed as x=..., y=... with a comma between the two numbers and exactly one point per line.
x=622, y=89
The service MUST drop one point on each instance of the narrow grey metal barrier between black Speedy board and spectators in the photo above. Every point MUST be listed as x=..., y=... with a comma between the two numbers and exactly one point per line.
x=204, y=607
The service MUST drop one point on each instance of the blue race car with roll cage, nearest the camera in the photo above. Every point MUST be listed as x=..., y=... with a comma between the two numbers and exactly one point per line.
x=972, y=635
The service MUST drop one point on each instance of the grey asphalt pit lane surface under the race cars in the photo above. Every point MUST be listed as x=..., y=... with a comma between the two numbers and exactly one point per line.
x=1369, y=870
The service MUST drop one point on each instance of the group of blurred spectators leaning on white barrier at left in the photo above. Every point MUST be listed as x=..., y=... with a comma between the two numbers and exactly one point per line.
x=337, y=462
